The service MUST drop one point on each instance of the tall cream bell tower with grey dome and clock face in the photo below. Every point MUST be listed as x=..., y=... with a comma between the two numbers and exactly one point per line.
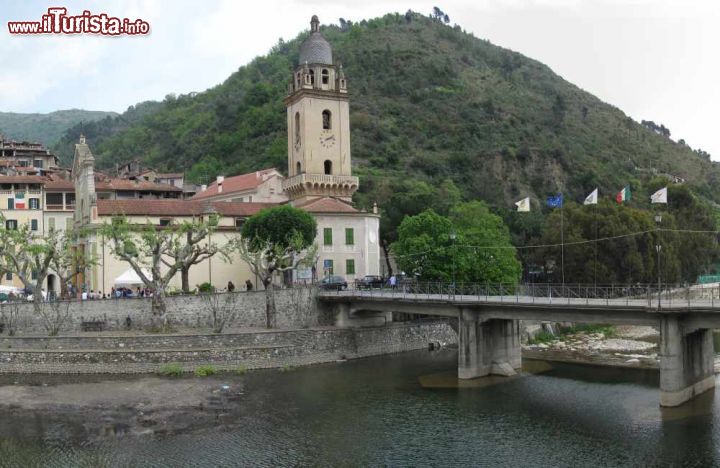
x=318, y=125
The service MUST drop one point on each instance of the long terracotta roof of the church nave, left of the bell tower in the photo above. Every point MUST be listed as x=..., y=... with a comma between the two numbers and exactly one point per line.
x=140, y=207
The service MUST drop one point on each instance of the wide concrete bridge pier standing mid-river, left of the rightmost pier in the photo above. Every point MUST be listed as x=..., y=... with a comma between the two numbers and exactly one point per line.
x=487, y=347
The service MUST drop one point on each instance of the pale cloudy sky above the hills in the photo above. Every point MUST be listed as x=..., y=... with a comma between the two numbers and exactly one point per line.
x=655, y=59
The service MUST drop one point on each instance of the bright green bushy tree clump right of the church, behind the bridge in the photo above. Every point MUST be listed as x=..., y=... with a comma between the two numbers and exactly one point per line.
x=480, y=252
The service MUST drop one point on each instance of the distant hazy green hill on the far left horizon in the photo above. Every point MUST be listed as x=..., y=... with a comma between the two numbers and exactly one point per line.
x=46, y=128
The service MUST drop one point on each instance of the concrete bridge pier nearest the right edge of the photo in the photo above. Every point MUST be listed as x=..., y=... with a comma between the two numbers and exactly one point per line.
x=686, y=362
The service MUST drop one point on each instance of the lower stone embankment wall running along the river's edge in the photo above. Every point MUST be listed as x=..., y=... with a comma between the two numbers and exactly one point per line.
x=248, y=350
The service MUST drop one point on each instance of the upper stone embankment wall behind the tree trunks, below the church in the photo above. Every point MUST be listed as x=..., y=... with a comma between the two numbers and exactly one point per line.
x=296, y=308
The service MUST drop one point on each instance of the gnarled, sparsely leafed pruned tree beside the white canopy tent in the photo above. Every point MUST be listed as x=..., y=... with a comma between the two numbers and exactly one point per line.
x=158, y=253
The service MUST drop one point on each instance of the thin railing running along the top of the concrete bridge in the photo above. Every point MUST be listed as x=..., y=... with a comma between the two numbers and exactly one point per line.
x=647, y=295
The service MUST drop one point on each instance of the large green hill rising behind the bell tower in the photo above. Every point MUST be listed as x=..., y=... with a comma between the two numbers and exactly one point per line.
x=429, y=102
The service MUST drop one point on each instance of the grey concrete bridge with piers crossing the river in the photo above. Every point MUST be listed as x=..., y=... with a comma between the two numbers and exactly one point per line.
x=489, y=331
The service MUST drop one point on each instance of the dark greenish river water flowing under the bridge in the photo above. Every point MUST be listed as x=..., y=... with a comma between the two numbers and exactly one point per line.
x=400, y=410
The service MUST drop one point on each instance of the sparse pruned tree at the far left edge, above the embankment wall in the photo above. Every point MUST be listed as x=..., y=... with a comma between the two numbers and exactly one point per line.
x=30, y=255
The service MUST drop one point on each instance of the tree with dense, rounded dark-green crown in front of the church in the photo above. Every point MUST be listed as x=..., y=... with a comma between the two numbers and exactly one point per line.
x=275, y=240
